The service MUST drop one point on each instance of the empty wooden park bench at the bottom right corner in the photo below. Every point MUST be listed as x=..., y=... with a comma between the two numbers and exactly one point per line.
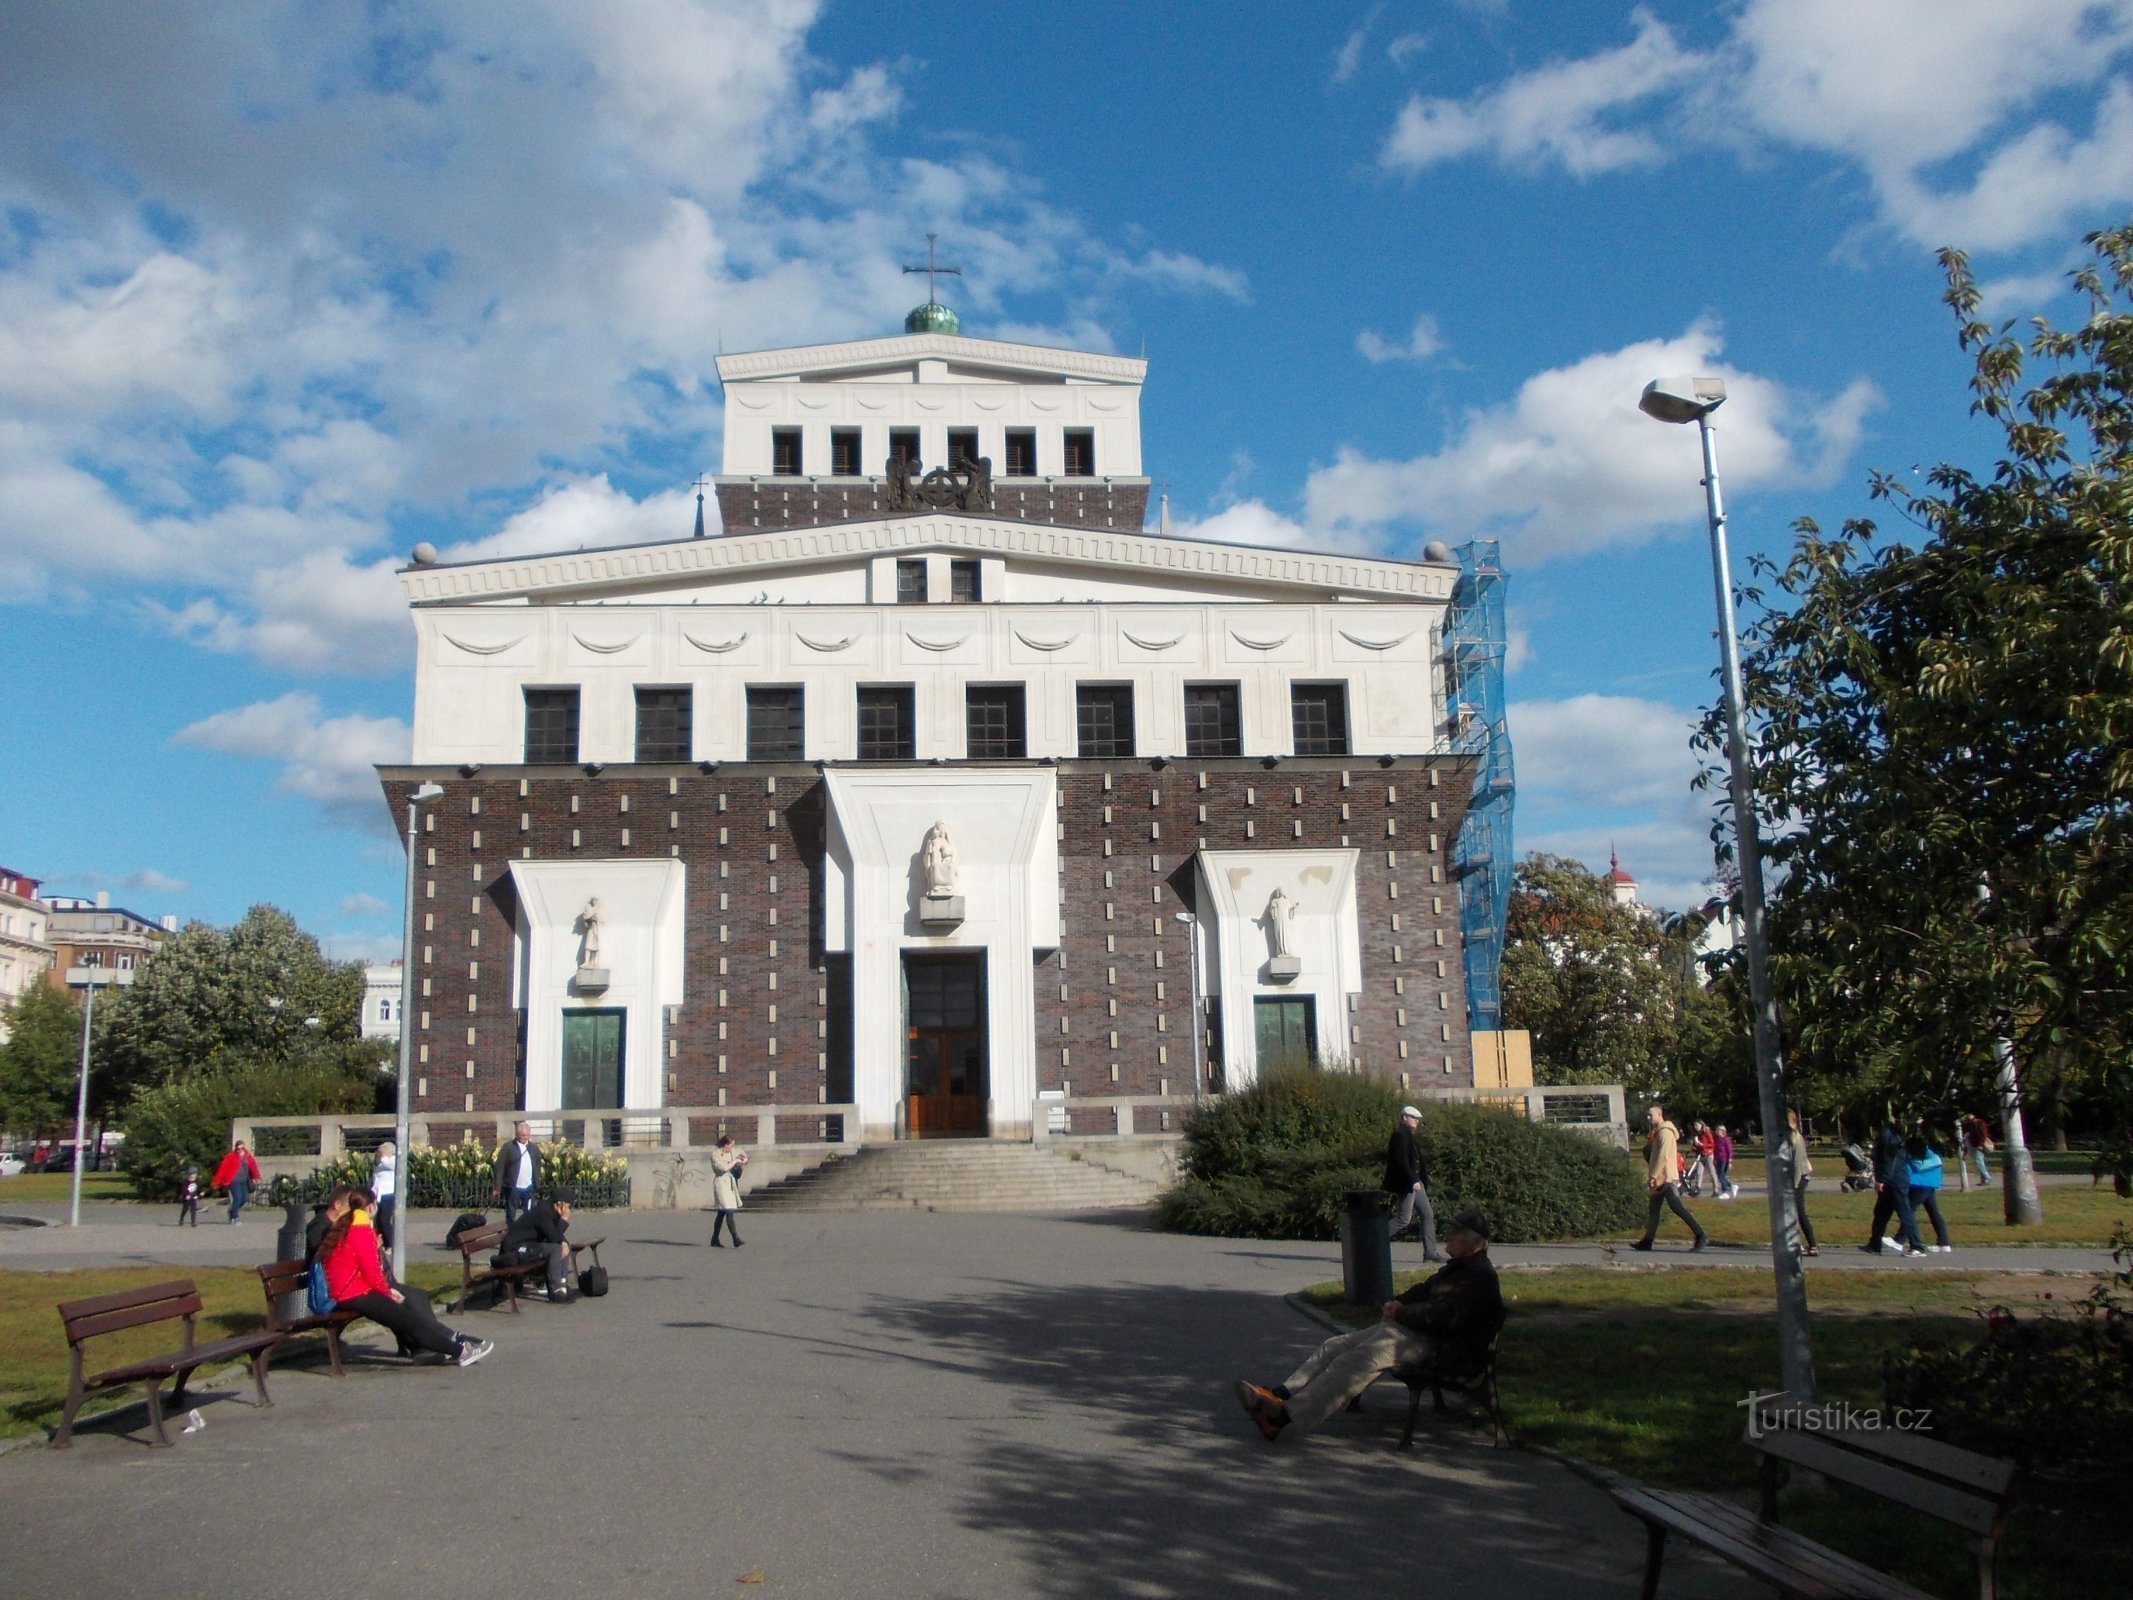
x=1912, y=1471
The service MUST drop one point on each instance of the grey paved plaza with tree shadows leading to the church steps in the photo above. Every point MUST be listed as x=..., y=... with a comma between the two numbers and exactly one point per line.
x=854, y=1405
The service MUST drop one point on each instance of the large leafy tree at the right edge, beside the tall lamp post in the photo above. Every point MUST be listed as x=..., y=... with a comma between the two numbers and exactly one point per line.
x=1955, y=718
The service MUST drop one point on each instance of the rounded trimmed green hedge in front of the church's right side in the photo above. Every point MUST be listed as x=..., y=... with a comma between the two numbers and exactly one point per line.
x=1272, y=1164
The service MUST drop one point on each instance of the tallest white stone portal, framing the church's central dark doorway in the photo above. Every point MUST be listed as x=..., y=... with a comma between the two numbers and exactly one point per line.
x=876, y=884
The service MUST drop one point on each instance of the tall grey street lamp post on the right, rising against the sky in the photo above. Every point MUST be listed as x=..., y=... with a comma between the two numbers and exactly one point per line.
x=1693, y=400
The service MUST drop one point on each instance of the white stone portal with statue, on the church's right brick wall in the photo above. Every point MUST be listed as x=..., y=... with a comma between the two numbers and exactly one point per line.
x=1279, y=925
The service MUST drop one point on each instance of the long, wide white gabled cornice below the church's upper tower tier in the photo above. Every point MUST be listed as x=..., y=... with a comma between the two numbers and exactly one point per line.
x=639, y=569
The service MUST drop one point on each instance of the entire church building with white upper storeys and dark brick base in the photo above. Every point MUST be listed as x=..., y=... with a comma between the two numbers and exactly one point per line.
x=929, y=793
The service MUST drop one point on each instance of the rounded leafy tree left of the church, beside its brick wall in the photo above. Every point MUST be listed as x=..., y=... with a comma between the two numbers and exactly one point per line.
x=259, y=991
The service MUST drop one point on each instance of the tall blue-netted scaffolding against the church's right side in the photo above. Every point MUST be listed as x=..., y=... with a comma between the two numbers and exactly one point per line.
x=1475, y=647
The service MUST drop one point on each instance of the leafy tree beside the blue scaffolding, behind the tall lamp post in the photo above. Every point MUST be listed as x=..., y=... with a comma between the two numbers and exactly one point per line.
x=1609, y=993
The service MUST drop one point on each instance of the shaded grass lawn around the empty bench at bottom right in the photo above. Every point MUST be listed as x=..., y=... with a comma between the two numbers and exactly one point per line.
x=1643, y=1373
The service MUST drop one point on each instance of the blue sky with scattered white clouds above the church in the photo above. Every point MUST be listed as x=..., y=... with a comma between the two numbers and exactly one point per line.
x=287, y=289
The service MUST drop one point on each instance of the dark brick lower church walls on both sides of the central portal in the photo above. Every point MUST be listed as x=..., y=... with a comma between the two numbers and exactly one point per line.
x=756, y=1021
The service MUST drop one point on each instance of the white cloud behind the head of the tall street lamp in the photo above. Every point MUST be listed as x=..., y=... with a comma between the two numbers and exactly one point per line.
x=1571, y=466
